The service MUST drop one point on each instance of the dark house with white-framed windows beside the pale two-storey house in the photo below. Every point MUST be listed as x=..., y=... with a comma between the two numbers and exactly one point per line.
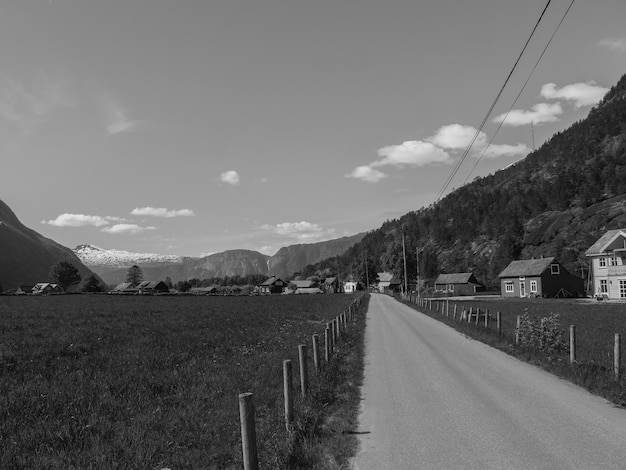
x=543, y=277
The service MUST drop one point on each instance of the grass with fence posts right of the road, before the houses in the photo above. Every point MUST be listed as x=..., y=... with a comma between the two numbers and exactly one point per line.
x=596, y=324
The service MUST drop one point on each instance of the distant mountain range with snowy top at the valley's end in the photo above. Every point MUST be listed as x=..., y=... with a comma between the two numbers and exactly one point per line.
x=112, y=265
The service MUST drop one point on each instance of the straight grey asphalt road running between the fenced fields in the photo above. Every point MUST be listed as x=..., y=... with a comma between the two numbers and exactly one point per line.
x=434, y=399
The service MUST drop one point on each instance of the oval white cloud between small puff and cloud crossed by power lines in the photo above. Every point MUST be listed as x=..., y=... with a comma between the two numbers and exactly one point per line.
x=412, y=153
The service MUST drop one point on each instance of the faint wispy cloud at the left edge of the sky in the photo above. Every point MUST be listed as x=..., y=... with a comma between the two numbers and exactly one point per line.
x=27, y=106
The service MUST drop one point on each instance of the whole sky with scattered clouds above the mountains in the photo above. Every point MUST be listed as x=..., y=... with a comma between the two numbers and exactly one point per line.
x=191, y=127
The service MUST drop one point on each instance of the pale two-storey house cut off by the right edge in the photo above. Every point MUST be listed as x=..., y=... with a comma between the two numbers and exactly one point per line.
x=608, y=265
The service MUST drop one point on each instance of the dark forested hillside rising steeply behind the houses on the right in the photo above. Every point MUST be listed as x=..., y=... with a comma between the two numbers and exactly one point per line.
x=555, y=202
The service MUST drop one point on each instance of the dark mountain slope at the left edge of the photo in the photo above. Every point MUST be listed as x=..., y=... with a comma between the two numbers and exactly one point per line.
x=26, y=257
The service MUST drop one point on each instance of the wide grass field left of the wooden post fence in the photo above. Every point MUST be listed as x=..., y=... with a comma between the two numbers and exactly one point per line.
x=147, y=382
